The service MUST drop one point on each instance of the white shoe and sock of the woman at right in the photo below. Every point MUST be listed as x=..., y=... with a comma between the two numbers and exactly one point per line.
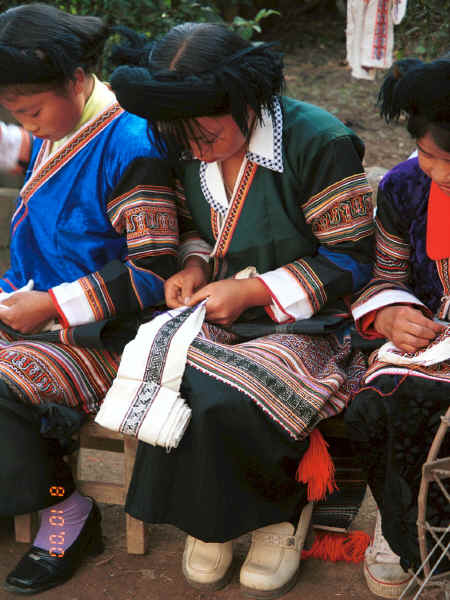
x=384, y=575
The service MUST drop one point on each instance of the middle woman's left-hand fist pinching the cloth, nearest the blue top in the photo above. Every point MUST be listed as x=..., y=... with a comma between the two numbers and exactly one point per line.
x=179, y=288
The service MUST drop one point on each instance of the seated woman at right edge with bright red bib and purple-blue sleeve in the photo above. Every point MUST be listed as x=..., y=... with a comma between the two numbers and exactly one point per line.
x=394, y=417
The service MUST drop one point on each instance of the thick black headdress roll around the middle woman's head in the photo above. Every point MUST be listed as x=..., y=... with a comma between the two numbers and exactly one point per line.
x=247, y=78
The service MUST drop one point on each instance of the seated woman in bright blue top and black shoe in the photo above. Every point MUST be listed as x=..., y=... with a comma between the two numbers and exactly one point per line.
x=97, y=239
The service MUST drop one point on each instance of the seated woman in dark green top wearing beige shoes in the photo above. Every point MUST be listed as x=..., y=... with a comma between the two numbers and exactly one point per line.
x=276, y=220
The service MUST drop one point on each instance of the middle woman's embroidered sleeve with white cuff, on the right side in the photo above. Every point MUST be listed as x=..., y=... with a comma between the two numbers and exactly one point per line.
x=340, y=216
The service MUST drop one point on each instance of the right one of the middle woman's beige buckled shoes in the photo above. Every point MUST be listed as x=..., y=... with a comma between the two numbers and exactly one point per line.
x=270, y=569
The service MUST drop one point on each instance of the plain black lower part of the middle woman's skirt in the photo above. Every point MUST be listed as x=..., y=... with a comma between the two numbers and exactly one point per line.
x=233, y=472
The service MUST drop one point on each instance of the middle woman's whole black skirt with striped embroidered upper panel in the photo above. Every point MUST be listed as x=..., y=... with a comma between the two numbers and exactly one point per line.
x=253, y=404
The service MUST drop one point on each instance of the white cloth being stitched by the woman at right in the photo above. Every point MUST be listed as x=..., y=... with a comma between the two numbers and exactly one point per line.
x=437, y=351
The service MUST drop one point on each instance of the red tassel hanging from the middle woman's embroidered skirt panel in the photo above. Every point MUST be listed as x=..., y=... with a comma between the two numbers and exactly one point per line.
x=317, y=468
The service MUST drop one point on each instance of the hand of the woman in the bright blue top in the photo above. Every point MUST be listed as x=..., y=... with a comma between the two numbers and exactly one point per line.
x=27, y=312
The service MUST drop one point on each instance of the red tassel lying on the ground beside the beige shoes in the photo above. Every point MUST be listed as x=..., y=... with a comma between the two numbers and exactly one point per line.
x=349, y=547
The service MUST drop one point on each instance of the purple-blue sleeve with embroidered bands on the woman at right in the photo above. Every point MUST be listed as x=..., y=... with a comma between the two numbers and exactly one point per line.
x=400, y=222
